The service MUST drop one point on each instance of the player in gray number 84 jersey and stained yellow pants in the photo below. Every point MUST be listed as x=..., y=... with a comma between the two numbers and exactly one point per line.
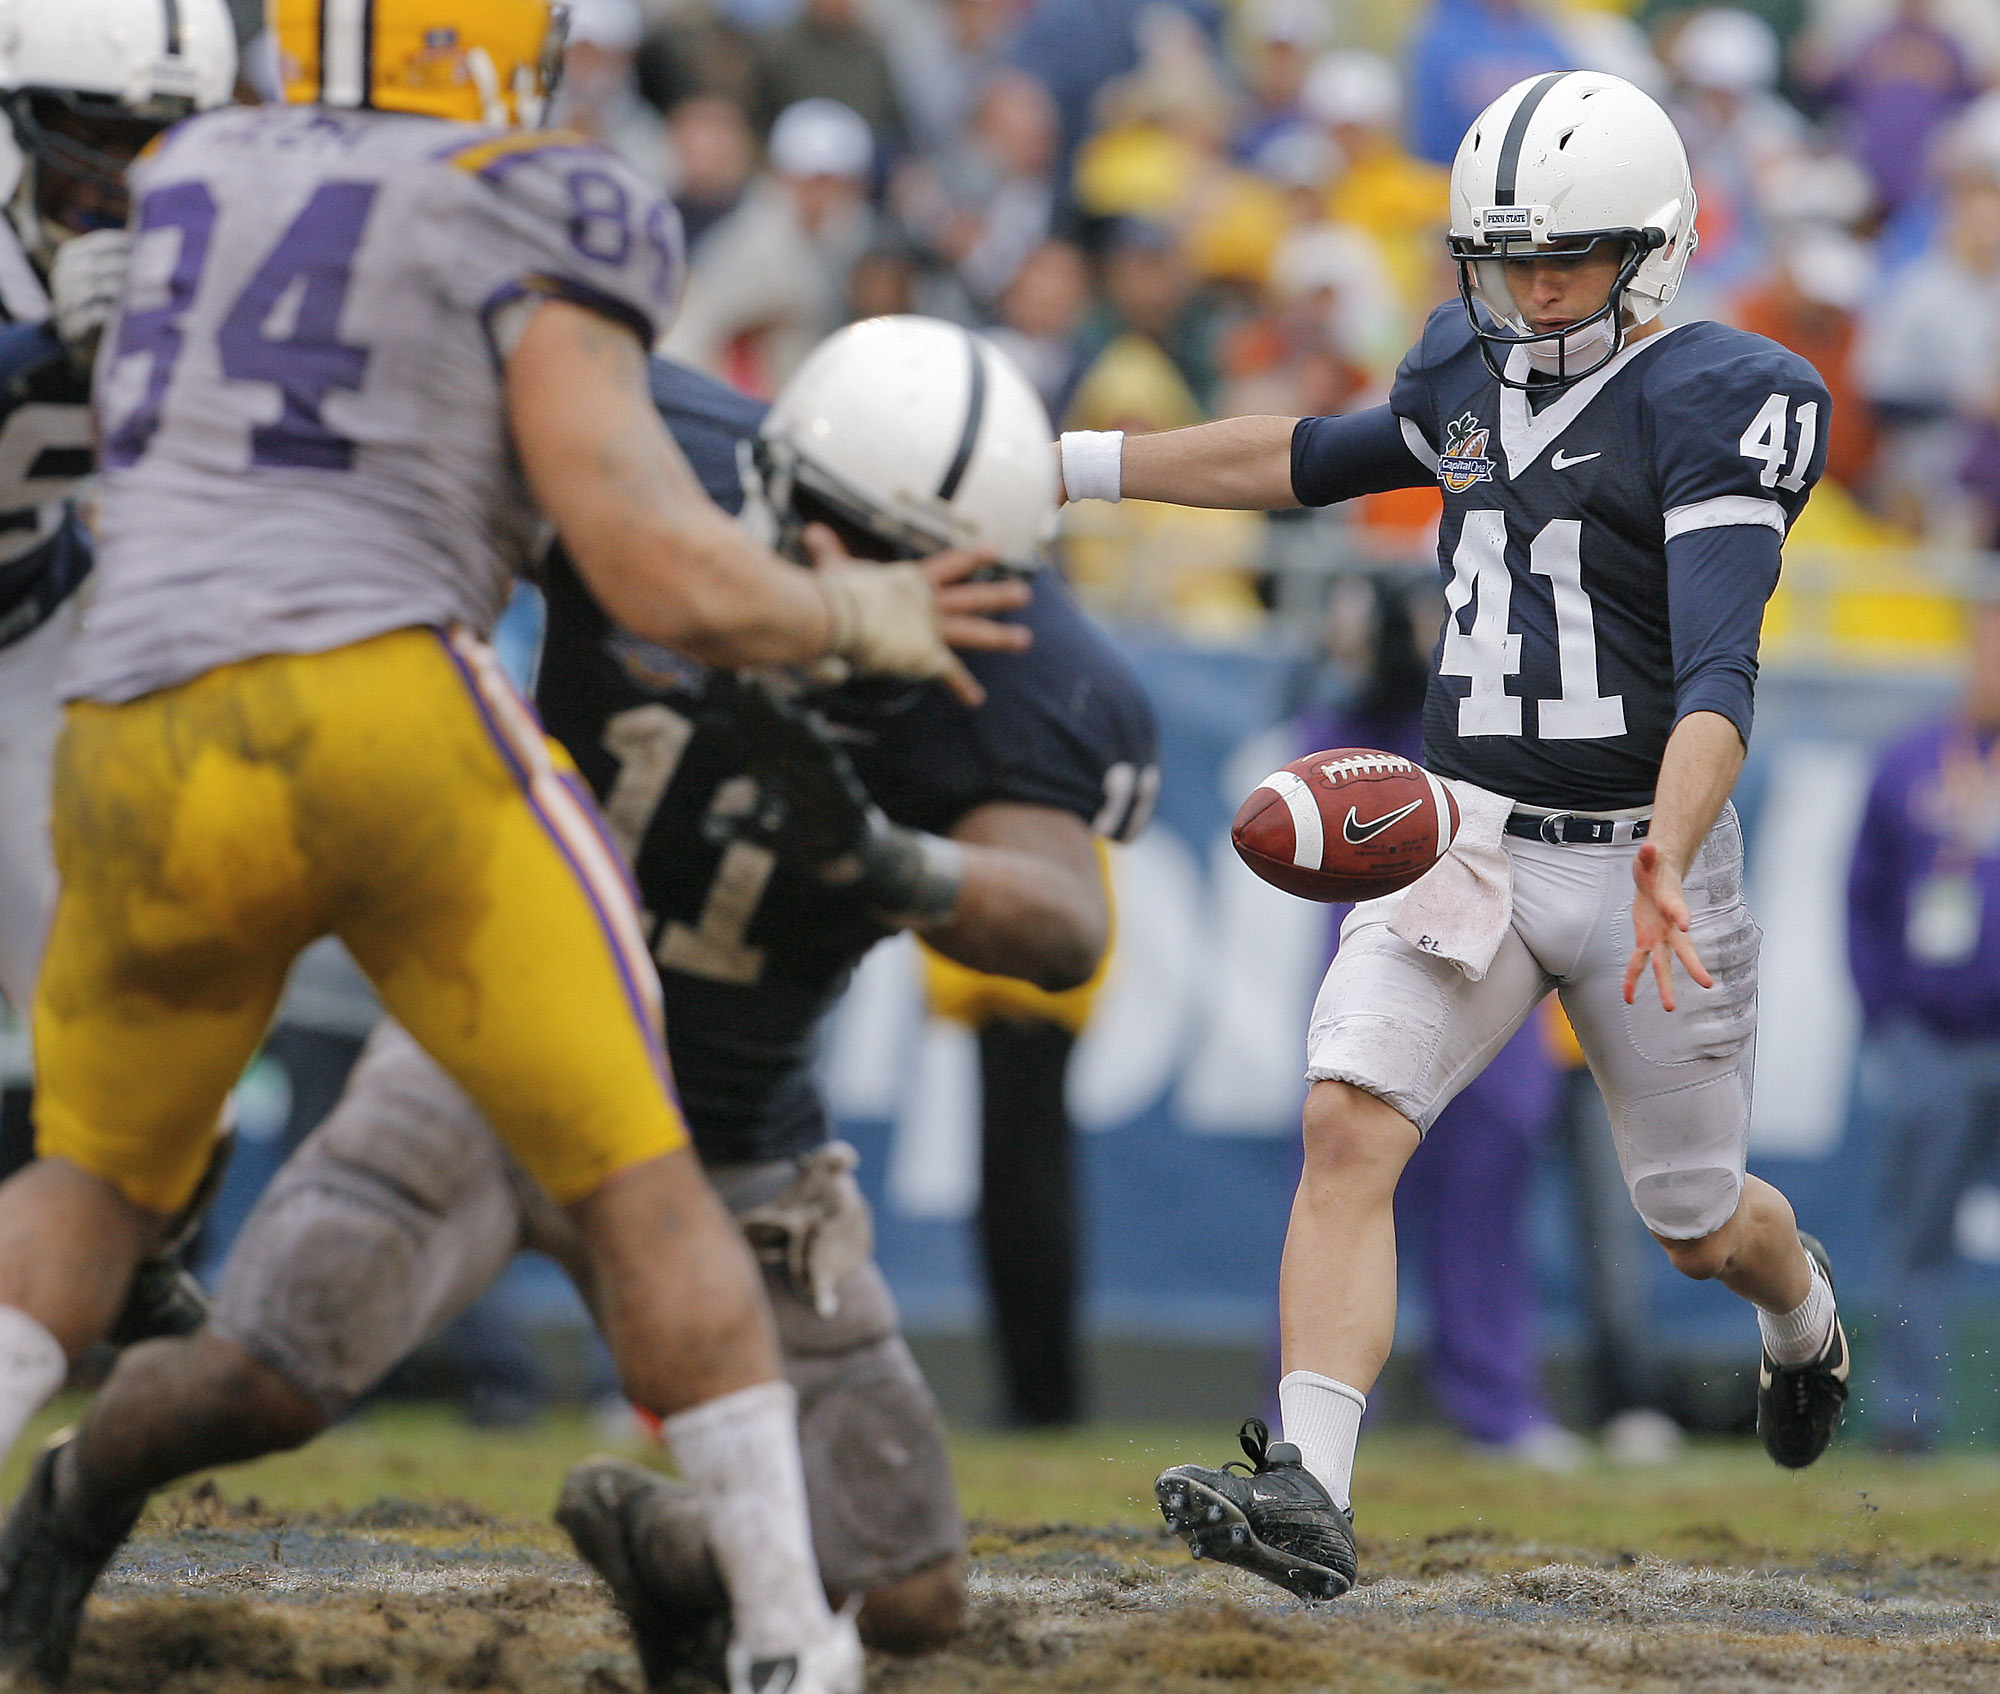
x=361, y=343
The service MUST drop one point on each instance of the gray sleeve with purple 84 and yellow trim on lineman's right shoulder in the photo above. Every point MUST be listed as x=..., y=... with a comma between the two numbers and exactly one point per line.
x=567, y=221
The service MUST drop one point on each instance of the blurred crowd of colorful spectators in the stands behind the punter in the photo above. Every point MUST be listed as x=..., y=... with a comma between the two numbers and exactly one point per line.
x=1171, y=211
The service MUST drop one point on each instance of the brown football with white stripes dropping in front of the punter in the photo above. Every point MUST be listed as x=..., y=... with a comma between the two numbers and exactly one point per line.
x=1345, y=825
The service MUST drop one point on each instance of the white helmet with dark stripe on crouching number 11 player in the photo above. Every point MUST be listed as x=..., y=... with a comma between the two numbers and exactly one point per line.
x=907, y=435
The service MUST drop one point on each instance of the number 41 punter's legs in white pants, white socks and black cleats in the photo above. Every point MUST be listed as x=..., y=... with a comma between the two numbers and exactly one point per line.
x=1395, y=1035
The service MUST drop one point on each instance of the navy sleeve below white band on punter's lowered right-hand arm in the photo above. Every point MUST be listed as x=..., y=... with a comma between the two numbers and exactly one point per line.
x=1717, y=585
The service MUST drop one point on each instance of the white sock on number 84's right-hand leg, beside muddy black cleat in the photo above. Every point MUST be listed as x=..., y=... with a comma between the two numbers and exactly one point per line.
x=741, y=1455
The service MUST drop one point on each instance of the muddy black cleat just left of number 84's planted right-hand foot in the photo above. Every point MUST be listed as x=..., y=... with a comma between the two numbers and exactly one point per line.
x=645, y=1537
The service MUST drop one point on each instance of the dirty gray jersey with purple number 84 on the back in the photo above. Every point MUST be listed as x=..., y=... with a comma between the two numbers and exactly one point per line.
x=301, y=403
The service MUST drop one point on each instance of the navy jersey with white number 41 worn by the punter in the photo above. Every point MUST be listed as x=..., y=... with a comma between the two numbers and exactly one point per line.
x=1587, y=555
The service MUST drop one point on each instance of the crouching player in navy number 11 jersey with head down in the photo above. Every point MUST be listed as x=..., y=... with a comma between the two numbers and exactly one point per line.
x=767, y=875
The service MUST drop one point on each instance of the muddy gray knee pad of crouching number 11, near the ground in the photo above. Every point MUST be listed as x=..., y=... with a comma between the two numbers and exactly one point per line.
x=879, y=1477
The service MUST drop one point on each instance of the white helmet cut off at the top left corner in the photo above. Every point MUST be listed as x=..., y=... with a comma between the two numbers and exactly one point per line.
x=71, y=65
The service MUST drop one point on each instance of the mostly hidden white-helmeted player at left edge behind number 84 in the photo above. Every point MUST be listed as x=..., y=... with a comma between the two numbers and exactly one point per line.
x=83, y=89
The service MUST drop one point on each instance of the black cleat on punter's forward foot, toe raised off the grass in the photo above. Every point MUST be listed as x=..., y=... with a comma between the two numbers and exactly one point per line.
x=1271, y=1517
